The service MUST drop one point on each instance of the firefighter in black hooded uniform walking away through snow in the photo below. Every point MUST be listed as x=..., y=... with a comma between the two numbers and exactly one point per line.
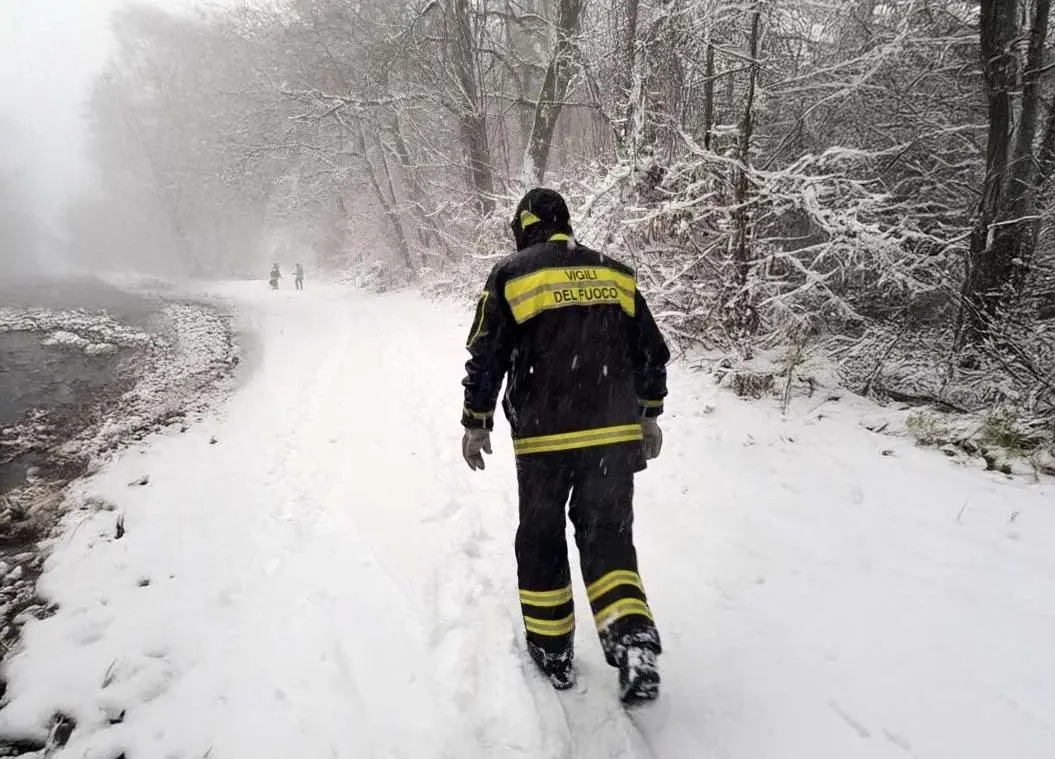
x=586, y=371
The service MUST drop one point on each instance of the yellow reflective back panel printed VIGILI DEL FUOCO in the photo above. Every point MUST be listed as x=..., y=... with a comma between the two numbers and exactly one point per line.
x=545, y=290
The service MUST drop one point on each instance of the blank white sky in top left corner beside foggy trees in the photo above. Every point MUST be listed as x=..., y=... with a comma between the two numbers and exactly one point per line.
x=50, y=53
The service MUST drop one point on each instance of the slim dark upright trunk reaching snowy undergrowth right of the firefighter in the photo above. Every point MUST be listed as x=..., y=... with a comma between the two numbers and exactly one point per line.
x=745, y=317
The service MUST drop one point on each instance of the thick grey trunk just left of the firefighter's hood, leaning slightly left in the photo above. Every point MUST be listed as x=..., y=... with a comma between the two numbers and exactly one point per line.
x=473, y=121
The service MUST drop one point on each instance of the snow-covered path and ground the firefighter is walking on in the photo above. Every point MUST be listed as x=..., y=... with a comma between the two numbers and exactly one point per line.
x=313, y=572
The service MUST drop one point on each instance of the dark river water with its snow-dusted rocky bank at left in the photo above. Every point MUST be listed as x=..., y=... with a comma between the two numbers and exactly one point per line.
x=86, y=369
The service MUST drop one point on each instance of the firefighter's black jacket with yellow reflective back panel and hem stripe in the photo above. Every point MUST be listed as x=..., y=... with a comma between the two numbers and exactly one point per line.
x=585, y=359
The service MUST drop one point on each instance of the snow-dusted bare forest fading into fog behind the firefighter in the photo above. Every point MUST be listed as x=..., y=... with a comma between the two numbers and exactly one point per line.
x=804, y=187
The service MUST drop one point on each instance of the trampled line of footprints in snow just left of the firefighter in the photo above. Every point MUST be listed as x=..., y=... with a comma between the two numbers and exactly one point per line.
x=471, y=632
